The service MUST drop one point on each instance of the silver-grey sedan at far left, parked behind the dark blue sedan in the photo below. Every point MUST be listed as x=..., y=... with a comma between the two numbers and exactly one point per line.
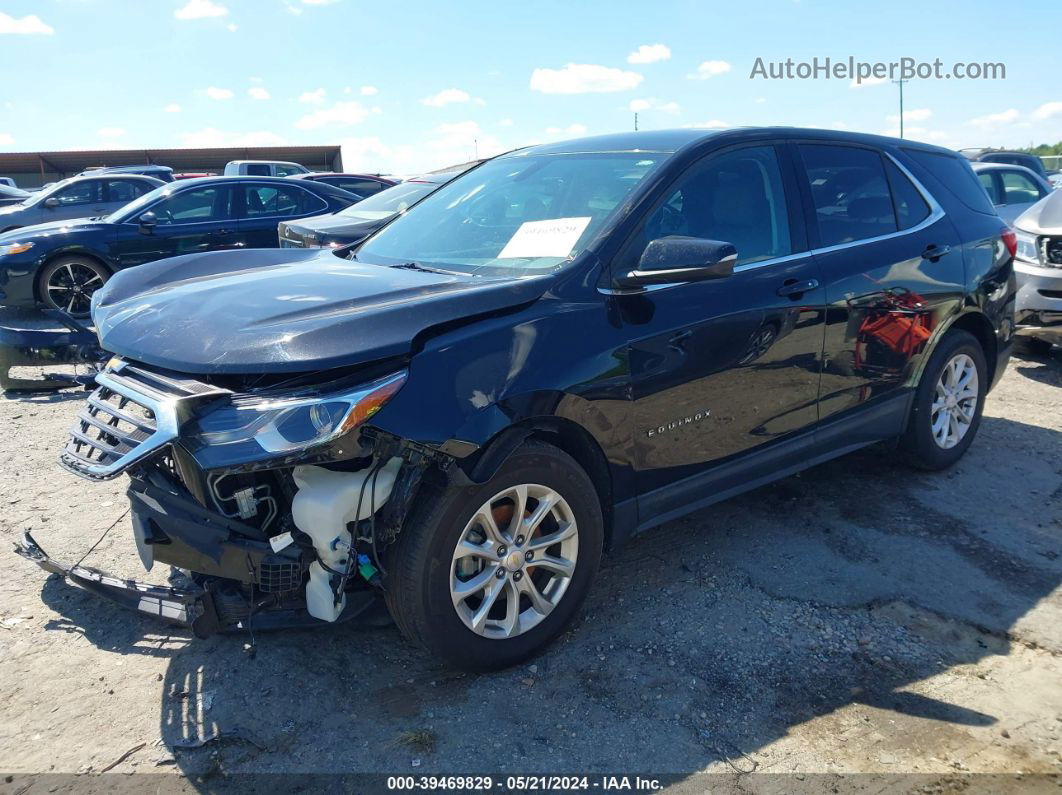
x=79, y=197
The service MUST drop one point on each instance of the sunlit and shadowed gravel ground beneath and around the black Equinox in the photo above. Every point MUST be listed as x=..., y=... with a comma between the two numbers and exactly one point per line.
x=859, y=618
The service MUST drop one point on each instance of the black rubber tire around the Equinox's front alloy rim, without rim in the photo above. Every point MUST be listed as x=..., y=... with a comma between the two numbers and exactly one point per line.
x=419, y=582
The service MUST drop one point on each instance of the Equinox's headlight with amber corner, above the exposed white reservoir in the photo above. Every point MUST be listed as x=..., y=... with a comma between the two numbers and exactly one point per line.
x=279, y=425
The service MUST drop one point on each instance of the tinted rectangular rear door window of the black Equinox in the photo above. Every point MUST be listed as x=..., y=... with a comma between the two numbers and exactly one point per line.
x=850, y=192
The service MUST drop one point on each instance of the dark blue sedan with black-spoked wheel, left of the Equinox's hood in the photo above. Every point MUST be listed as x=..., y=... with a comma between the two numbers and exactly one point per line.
x=60, y=266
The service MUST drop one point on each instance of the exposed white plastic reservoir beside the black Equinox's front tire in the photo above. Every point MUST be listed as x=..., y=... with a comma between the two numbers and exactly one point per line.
x=322, y=508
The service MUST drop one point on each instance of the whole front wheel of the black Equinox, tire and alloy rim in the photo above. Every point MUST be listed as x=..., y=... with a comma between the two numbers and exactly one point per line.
x=488, y=576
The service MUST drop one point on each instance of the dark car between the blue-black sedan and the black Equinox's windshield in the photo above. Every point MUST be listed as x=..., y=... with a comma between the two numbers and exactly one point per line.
x=358, y=222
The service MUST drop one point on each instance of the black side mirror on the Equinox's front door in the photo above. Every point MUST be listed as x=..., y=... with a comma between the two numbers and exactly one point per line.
x=675, y=260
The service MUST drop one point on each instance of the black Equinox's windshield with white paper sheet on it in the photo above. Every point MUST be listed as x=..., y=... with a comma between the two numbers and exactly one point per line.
x=524, y=215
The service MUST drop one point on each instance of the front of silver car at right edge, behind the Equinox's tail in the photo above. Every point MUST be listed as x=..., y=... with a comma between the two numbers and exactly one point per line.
x=1039, y=268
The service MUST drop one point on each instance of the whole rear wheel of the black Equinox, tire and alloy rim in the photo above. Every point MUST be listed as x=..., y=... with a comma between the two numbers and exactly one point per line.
x=949, y=403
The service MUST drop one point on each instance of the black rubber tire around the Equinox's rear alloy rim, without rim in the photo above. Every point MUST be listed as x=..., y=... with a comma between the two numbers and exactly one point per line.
x=921, y=448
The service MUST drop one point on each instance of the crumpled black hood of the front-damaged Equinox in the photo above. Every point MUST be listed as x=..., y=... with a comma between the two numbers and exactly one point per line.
x=285, y=310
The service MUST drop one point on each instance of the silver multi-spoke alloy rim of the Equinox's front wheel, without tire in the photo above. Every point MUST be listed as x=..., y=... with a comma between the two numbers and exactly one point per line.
x=515, y=561
